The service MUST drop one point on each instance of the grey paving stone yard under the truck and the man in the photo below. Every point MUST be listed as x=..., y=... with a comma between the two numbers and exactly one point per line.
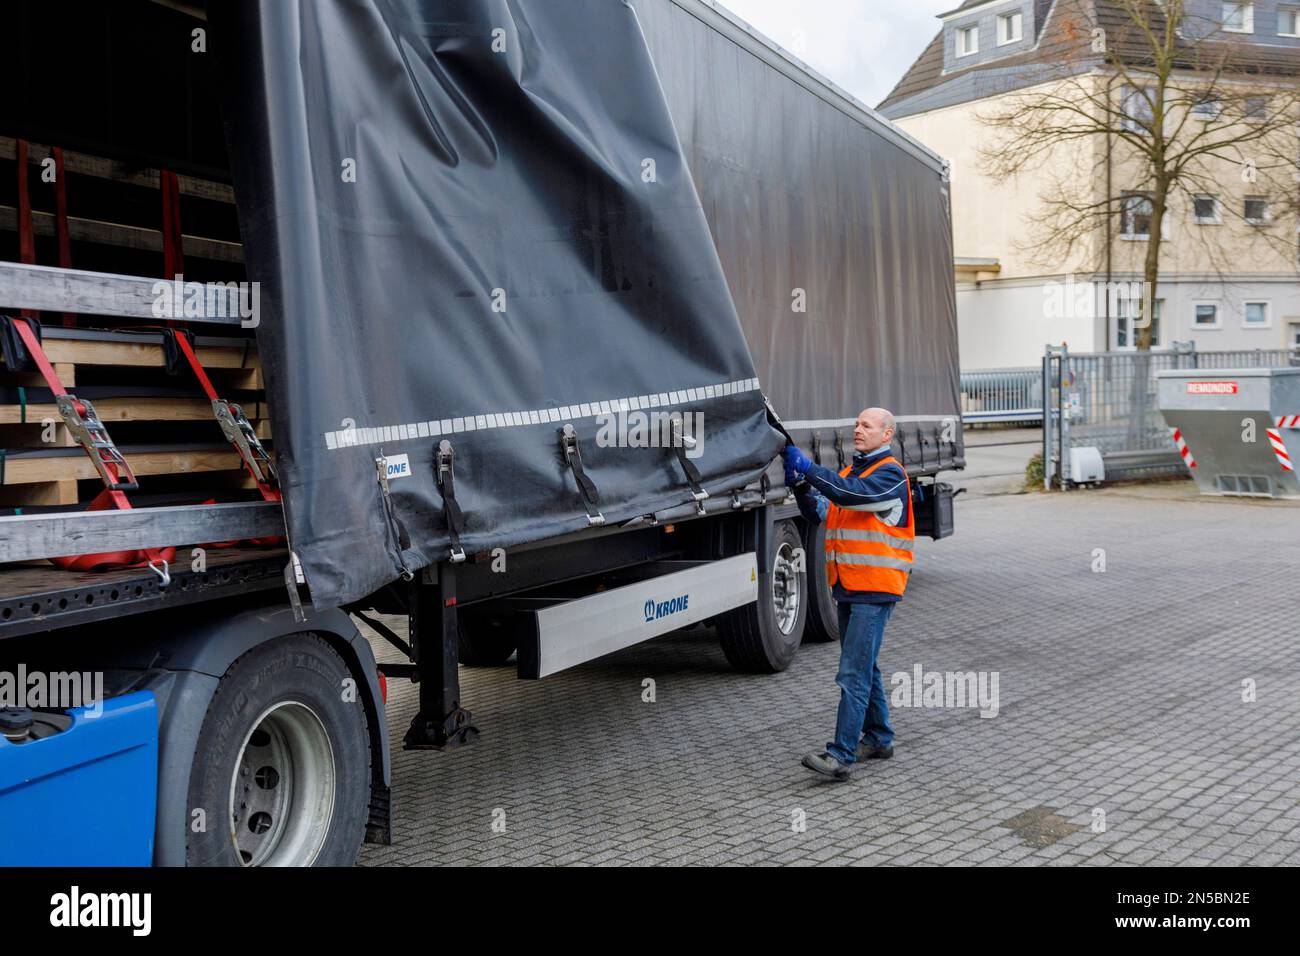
x=1120, y=694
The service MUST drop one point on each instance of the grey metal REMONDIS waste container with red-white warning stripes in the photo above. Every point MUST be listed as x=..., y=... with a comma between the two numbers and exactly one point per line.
x=1238, y=430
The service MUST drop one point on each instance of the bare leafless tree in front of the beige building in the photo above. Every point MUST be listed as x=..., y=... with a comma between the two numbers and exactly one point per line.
x=1156, y=106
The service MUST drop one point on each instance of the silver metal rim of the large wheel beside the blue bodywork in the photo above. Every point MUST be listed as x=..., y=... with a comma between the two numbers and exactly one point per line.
x=283, y=789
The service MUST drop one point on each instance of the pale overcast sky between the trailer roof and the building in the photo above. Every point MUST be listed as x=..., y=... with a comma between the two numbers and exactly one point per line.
x=864, y=46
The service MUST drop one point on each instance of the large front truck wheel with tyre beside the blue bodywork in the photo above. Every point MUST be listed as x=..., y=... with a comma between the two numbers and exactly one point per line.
x=283, y=767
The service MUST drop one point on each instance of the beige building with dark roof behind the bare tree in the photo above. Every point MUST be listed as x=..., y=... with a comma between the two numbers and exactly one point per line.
x=1229, y=257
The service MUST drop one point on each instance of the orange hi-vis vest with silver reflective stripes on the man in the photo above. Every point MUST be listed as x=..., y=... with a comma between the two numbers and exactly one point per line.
x=864, y=553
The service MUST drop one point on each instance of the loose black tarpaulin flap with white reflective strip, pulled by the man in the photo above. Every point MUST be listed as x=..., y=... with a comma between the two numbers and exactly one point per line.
x=474, y=222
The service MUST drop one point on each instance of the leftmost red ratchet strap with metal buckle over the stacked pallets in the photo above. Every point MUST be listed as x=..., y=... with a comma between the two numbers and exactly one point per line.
x=90, y=434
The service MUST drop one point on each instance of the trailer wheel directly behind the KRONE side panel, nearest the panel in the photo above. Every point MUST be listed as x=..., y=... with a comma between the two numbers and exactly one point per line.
x=764, y=638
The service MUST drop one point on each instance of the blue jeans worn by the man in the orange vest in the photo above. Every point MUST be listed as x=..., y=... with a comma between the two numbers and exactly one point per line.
x=864, y=707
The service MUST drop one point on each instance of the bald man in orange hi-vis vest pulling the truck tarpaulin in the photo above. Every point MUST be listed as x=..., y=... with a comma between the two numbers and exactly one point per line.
x=869, y=546
